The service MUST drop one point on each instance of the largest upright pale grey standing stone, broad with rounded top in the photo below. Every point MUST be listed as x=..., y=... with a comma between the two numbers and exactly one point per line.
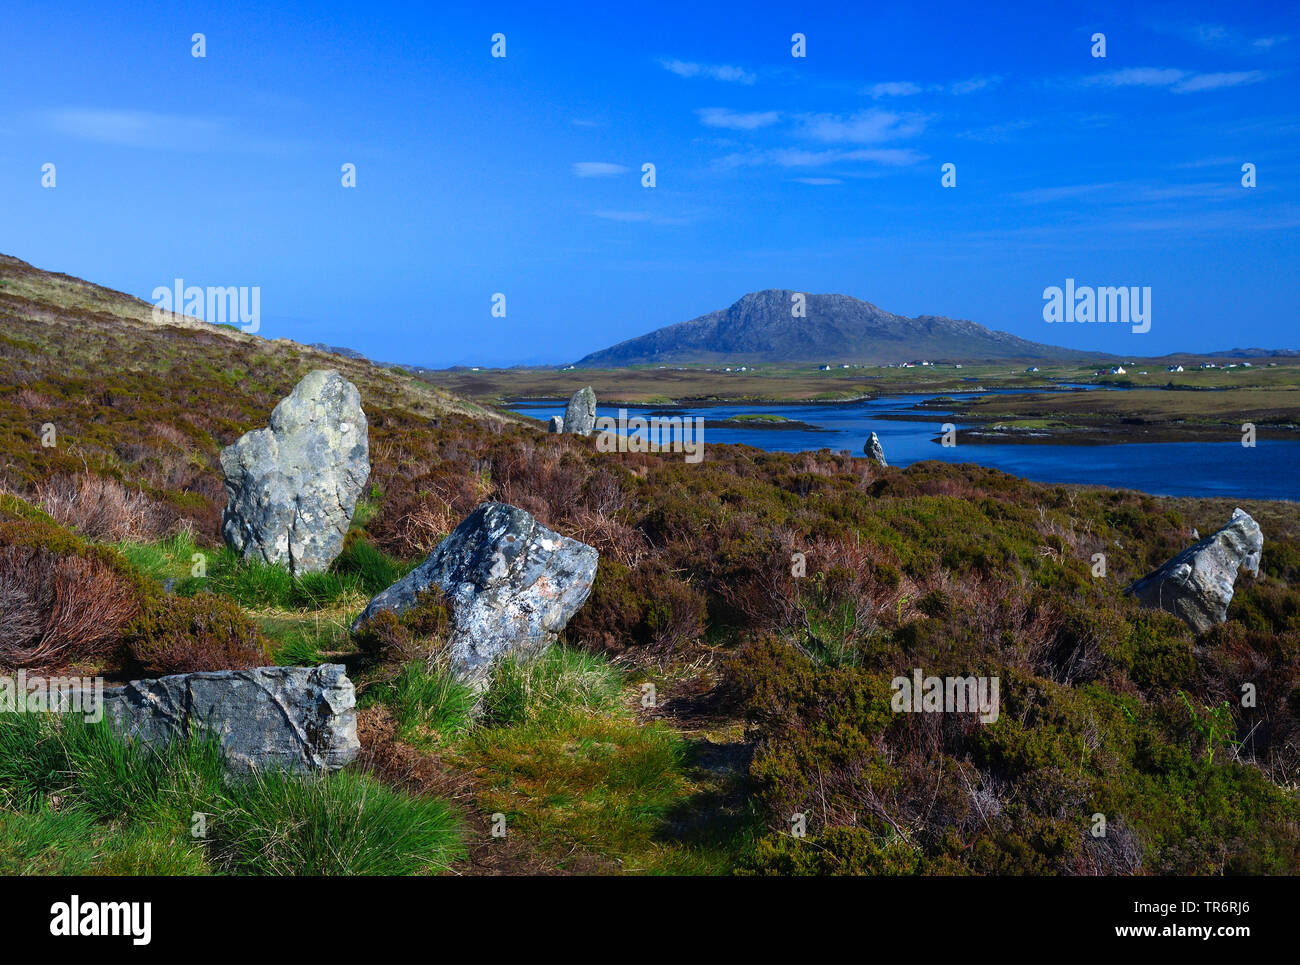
x=293, y=486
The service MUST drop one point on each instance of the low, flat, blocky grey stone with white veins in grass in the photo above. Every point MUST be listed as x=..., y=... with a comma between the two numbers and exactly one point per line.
x=287, y=719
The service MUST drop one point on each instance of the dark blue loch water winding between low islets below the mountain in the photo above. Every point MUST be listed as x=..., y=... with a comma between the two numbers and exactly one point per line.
x=1268, y=471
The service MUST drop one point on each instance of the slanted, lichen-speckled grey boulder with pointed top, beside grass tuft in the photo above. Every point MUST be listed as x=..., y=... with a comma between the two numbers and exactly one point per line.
x=512, y=586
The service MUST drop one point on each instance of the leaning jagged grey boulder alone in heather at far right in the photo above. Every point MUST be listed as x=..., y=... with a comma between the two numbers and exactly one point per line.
x=1198, y=585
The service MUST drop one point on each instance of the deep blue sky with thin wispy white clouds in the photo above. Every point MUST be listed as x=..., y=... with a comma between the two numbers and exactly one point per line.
x=523, y=175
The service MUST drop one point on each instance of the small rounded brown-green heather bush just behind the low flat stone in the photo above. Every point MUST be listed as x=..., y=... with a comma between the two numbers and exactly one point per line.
x=180, y=635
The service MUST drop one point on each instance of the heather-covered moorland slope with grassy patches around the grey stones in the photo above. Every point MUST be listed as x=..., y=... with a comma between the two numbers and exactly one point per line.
x=772, y=691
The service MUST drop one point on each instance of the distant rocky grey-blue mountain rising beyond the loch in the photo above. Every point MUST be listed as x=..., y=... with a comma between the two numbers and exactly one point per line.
x=760, y=328
